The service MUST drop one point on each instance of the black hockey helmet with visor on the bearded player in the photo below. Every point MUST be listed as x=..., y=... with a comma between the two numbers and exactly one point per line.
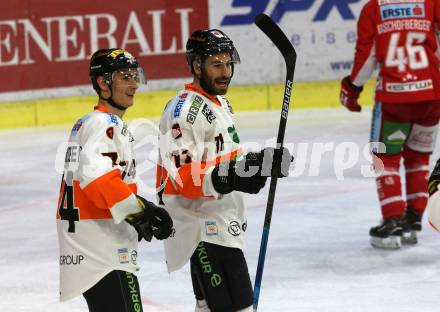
x=204, y=43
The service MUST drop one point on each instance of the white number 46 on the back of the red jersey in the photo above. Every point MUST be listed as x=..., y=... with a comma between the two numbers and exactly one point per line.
x=412, y=54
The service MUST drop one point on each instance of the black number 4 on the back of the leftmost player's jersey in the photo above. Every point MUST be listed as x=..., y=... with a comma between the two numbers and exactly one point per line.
x=66, y=209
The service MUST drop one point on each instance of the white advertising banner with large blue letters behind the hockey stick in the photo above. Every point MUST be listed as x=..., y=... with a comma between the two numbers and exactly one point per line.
x=322, y=31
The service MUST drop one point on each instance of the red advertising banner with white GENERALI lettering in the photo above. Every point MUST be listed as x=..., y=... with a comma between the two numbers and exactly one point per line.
x=48, y=43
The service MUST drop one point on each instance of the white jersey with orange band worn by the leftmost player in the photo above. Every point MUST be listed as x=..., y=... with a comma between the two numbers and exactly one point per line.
x=97, y=193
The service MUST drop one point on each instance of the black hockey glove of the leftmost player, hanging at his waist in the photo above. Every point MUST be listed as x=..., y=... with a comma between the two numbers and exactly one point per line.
x=152, y=221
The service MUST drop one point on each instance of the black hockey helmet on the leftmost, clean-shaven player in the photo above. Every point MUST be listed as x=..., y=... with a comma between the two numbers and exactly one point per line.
x=106, y=61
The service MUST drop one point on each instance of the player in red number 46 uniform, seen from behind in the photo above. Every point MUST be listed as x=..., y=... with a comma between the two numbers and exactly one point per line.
x=399, y=37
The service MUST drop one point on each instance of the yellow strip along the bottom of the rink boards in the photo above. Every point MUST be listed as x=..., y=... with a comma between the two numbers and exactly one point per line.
x=61, y=111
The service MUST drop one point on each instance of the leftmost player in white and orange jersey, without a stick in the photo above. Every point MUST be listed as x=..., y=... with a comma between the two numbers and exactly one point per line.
x=99, y=216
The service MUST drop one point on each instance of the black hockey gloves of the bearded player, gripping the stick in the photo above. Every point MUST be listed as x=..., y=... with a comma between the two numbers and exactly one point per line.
x=249, y=175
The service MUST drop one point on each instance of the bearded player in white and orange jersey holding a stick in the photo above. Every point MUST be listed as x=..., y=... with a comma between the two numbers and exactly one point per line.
x=203, y=173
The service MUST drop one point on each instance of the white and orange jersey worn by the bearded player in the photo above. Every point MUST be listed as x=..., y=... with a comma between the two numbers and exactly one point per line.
x=196, y=132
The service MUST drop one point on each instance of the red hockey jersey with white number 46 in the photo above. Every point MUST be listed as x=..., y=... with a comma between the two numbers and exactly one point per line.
x=399, y=36
